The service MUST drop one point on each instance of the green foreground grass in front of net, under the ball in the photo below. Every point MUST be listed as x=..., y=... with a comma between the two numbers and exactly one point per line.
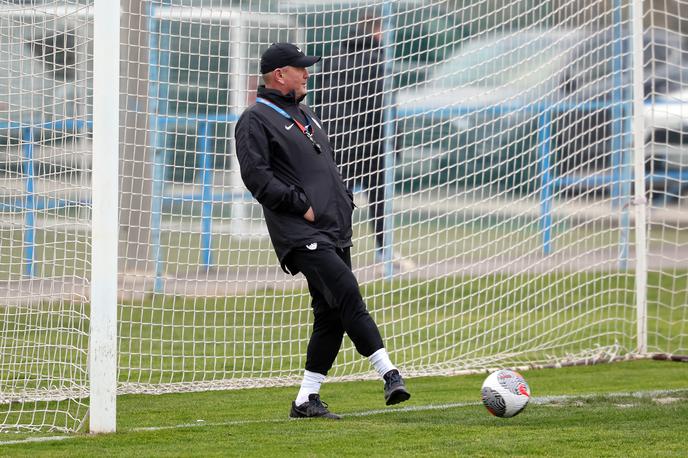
x=443, y=418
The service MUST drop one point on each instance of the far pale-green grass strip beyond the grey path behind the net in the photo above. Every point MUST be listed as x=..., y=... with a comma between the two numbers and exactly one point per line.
x=426, y=238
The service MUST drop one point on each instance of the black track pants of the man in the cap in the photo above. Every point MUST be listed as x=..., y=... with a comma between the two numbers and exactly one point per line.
x=337, y=306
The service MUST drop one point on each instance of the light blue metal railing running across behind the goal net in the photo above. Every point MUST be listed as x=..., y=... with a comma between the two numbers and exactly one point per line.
x=205, y=127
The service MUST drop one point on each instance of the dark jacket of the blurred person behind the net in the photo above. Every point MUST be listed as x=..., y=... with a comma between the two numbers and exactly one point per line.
x=352, y=99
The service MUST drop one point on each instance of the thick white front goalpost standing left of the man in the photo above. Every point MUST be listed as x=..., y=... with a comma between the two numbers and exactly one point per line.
x=102, y=351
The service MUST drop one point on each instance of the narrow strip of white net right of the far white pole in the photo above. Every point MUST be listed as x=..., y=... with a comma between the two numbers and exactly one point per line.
x=666, y=147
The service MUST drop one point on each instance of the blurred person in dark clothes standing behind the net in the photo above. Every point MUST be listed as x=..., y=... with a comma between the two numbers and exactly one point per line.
x=353, y=105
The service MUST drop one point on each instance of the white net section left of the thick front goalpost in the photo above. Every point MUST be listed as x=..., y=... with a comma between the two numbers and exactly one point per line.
x=45, y=89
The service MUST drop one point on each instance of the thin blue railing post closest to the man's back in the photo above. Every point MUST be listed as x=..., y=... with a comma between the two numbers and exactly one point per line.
x=204, y=132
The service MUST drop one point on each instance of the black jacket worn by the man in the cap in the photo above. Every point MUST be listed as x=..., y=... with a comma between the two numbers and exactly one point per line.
x=286, y=174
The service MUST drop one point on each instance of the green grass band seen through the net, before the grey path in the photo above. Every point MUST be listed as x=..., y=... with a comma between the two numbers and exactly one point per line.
x=454, y=323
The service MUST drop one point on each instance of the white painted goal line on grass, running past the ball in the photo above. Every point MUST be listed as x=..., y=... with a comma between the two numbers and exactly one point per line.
x=540, y=400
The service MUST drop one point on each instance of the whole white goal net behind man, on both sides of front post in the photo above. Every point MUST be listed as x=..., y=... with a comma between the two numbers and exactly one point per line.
x=518, y=169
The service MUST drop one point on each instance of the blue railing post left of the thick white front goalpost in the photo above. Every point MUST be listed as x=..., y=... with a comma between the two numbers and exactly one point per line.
x=28, y=171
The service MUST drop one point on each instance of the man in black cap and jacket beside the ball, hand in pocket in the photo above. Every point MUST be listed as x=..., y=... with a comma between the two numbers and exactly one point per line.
x=288, y=165
